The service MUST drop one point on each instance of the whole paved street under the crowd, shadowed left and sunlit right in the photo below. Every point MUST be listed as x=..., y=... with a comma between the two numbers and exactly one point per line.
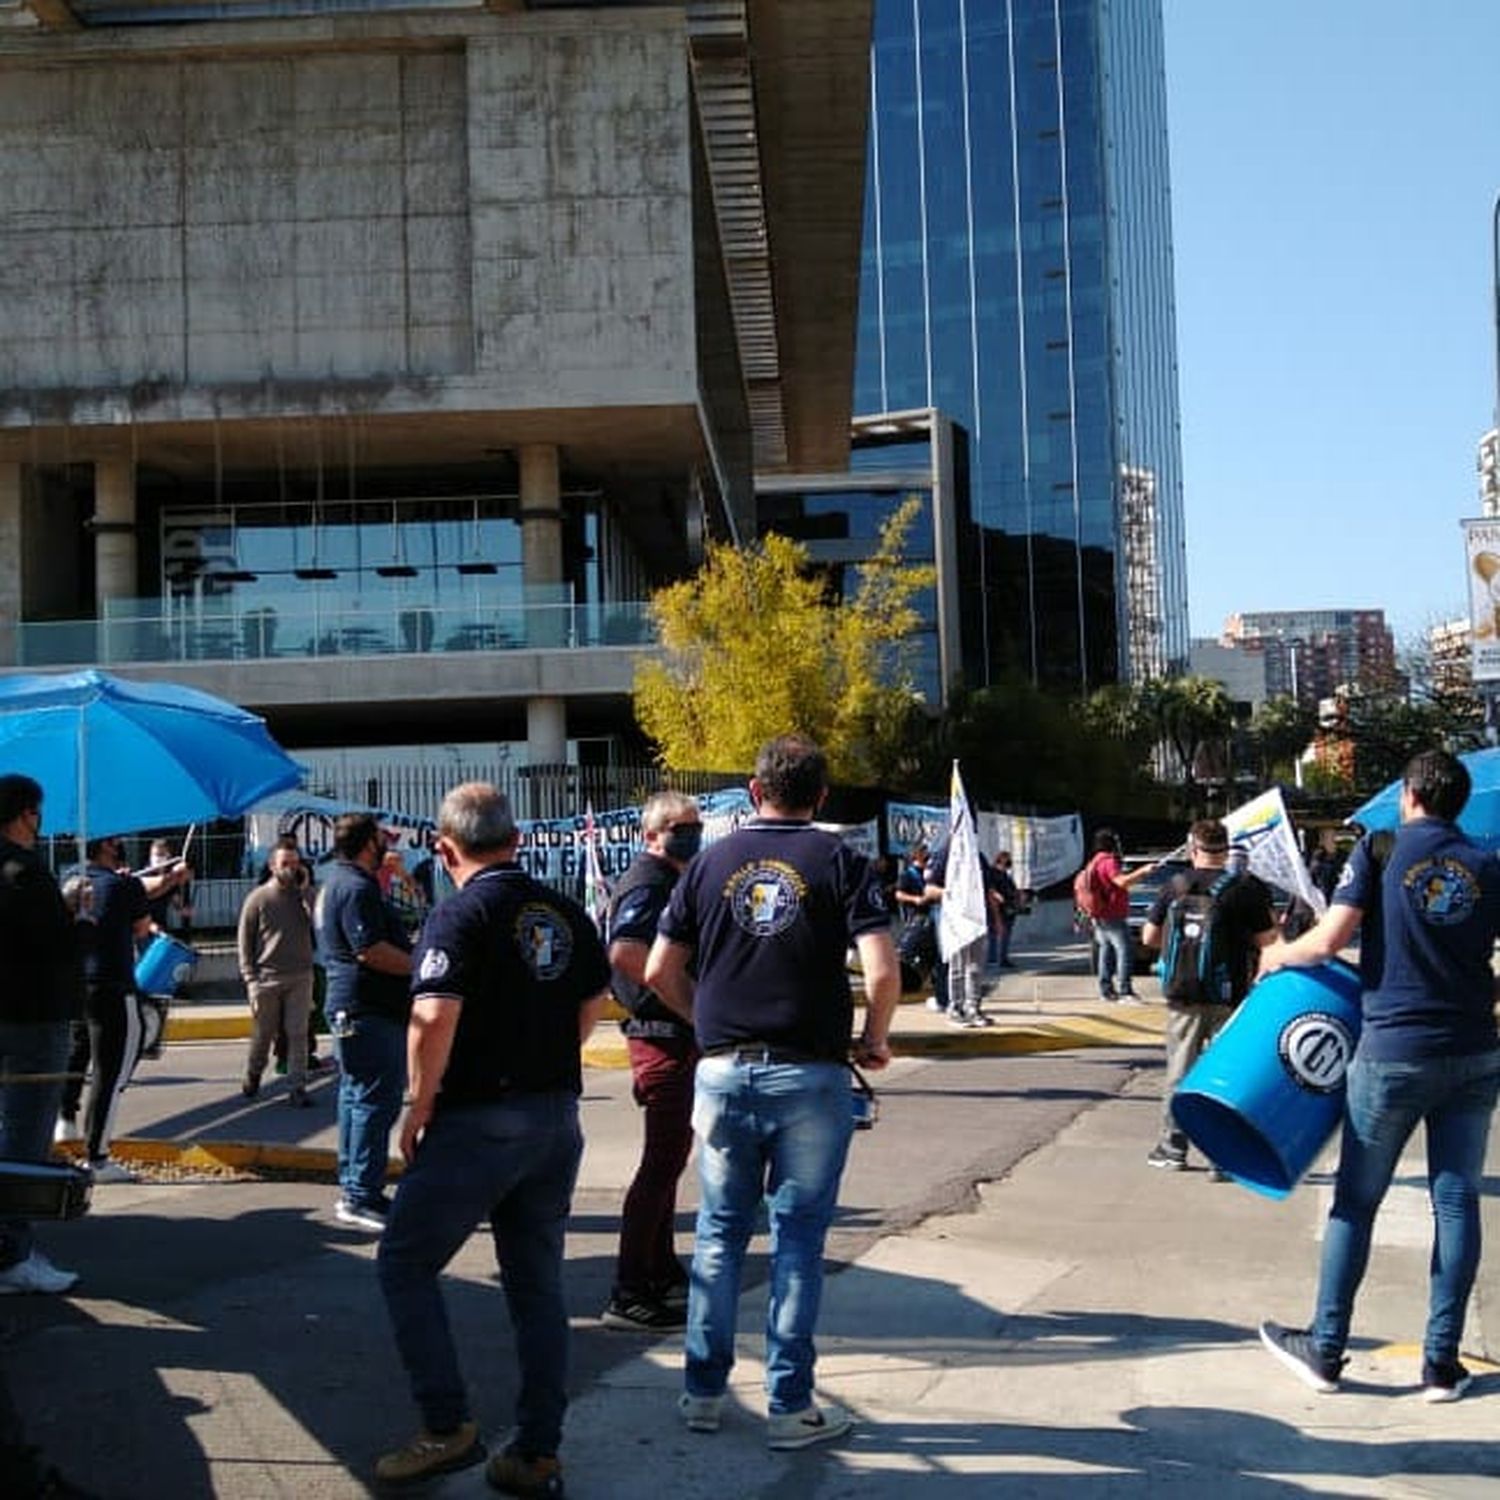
x=1018, y=1298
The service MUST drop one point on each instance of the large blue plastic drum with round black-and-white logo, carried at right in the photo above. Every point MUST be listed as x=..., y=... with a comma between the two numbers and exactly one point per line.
x=1265, y=1097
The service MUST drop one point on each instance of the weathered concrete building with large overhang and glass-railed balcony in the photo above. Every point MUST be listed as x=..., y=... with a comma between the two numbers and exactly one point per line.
x=370, y=367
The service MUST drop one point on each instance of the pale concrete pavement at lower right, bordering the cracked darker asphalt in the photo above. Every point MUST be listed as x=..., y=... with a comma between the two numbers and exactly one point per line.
x=1088, y=1330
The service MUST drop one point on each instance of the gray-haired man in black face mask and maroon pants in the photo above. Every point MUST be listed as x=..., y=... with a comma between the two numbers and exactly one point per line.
x=650, y=1286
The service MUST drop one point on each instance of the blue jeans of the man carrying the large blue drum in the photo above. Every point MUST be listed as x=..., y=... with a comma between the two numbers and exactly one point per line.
x=1387, y=1100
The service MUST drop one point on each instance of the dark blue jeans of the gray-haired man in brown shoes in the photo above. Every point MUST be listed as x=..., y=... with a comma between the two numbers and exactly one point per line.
x=515, y=1165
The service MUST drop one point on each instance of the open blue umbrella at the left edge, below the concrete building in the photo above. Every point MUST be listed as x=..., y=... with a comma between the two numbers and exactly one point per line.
x=116, y=757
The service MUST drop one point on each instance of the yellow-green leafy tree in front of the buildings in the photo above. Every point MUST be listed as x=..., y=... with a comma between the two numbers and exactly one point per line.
x=754, y=646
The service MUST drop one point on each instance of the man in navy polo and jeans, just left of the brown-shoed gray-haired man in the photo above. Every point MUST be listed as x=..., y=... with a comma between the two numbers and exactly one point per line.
x=367, y=956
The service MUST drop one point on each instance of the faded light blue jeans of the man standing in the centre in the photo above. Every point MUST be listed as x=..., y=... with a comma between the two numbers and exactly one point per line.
x=778, y=1132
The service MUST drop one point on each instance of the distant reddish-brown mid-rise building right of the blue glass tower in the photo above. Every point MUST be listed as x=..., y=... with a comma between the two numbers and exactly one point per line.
x=1312, y=653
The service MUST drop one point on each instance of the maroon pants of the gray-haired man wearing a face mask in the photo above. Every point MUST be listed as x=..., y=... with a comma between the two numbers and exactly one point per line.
x=664, y=1088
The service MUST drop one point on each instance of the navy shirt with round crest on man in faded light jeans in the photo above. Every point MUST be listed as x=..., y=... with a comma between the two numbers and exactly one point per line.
x=770, y=914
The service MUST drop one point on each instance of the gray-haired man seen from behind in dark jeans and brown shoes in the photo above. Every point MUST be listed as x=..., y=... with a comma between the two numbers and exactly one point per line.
x=509, y=980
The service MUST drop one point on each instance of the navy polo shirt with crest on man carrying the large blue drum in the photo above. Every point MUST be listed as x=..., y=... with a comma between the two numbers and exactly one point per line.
x=1429, y=929
